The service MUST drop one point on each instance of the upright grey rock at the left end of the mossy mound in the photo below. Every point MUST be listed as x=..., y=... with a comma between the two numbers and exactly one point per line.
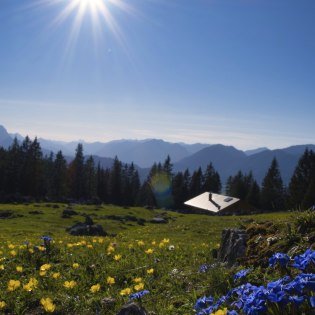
x=233, y=246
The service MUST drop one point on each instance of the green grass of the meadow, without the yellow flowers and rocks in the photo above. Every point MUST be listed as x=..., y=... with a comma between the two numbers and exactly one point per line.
x=172, y=292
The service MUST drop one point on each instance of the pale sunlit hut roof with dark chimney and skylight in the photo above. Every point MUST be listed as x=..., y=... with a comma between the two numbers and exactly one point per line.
x=211, y=202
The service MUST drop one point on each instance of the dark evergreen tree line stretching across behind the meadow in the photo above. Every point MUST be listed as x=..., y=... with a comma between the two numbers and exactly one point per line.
x=27, y=174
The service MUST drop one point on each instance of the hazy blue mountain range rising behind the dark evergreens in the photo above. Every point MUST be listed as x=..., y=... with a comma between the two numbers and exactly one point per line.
x=227, y=160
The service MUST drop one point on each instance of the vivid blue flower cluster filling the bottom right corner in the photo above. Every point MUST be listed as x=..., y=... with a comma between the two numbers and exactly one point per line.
x=250, y=299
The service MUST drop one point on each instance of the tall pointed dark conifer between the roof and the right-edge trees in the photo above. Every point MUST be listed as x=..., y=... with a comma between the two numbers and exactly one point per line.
x=272, y=192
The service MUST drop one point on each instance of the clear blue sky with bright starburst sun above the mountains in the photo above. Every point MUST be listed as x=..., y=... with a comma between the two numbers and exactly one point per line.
x=237, y=72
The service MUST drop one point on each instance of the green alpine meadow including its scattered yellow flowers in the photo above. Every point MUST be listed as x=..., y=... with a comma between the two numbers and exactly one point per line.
x=172, y=252
